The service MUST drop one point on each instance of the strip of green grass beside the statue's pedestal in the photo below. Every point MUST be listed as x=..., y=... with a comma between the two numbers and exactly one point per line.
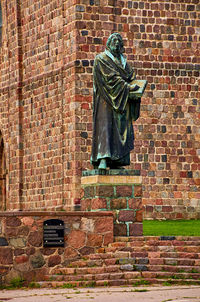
x=171, y=228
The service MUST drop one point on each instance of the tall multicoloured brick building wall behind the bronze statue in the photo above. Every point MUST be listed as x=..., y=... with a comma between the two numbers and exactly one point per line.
x=46, y=63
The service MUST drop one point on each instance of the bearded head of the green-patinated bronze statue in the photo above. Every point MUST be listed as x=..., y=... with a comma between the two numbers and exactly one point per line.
x=115, y=44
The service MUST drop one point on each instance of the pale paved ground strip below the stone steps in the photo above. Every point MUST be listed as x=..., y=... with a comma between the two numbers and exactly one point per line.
x=117, y=294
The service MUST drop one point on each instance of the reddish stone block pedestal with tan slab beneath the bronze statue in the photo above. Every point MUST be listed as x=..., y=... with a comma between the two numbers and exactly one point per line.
x=119, y=191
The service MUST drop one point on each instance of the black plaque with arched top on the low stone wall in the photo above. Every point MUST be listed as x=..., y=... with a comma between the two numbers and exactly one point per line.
x=53, y=233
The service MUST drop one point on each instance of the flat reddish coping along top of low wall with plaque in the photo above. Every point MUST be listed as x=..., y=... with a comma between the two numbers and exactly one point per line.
x=39, y=213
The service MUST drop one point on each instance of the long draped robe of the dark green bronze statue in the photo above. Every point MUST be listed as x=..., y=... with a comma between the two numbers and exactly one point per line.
x=113, y=111
